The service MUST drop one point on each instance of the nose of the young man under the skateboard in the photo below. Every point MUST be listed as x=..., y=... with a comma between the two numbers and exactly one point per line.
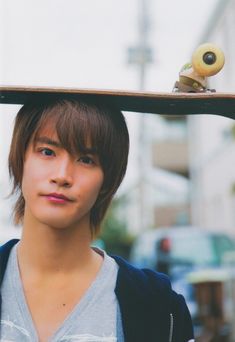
x=62, y=175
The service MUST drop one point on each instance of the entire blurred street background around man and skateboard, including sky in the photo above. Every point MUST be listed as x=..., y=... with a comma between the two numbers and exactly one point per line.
x=175, y=211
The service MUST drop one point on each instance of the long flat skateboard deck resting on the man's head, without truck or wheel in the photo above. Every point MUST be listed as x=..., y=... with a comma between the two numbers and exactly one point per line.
x=145, y=102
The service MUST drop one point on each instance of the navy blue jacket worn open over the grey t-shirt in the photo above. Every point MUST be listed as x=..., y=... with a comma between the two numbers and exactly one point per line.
x=151, y=311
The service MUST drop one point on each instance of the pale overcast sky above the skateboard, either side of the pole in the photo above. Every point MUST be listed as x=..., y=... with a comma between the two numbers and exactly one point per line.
x=83, y=43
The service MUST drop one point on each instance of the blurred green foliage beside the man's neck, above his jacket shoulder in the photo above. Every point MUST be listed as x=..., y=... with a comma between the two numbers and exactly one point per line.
x=114, y=232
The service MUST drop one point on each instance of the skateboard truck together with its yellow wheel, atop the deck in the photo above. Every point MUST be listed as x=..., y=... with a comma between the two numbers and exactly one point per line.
x=207, y=60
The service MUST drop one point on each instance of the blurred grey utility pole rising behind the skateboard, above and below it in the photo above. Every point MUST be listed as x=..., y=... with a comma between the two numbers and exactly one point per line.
x=141, y=55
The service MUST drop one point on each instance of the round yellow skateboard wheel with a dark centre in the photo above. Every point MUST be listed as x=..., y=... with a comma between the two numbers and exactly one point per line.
x=207, y=60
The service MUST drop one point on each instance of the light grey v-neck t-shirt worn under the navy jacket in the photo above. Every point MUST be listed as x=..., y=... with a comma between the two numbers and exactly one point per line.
x=96, y=318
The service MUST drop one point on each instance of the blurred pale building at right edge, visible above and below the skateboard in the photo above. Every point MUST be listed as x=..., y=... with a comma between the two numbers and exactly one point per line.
x=212, y=146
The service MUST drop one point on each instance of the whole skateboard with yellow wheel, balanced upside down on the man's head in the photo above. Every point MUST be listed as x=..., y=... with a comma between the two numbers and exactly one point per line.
x=190, y=94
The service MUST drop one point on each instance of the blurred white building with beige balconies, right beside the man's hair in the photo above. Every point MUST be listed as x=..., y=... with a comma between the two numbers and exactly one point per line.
x=158, y=195
